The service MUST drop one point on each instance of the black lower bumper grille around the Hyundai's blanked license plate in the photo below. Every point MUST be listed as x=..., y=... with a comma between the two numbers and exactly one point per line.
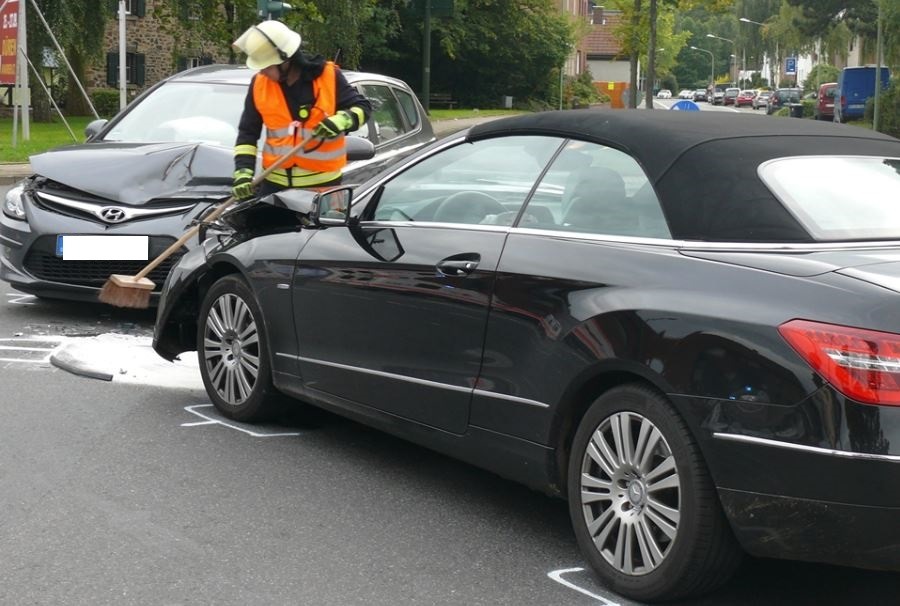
x=42, y=262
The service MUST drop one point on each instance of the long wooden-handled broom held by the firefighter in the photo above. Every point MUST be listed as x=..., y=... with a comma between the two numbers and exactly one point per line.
x=134, y=291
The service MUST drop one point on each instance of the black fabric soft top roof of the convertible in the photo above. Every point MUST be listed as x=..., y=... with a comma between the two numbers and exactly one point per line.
x=704, y=165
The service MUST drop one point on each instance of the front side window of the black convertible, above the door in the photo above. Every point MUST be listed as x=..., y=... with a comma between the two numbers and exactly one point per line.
x=485, y=182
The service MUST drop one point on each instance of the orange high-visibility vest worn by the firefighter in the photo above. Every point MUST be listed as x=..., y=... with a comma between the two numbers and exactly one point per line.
x=284, y=131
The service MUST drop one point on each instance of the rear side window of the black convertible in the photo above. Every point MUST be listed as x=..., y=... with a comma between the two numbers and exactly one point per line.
x=596, y=189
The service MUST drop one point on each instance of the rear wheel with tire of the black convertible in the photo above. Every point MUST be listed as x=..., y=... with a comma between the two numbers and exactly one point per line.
x=667, y=498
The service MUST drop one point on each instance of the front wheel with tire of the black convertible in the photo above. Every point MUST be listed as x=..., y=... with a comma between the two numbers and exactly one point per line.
x=233, y=350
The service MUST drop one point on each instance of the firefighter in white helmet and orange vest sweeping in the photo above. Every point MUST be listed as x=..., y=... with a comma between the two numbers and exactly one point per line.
x=294, y=95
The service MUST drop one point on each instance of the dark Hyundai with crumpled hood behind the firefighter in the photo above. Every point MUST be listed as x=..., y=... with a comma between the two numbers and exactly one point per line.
x=153, y=170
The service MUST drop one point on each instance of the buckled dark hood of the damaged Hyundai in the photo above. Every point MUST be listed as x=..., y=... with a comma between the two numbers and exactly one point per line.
x=135, y=173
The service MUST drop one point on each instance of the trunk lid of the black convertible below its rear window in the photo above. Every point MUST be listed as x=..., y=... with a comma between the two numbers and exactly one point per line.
x=879, y=266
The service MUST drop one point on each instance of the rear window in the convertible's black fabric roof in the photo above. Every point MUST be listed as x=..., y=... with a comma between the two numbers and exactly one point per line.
x=839, y=197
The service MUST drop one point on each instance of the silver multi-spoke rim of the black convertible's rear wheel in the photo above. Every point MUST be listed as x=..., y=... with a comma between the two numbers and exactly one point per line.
x=630, y=493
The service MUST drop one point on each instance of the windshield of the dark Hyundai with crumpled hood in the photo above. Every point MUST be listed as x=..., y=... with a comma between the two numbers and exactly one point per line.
x=188, y=112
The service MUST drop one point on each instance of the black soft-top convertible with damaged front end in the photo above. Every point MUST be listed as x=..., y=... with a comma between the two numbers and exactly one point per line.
x=585, y=302
